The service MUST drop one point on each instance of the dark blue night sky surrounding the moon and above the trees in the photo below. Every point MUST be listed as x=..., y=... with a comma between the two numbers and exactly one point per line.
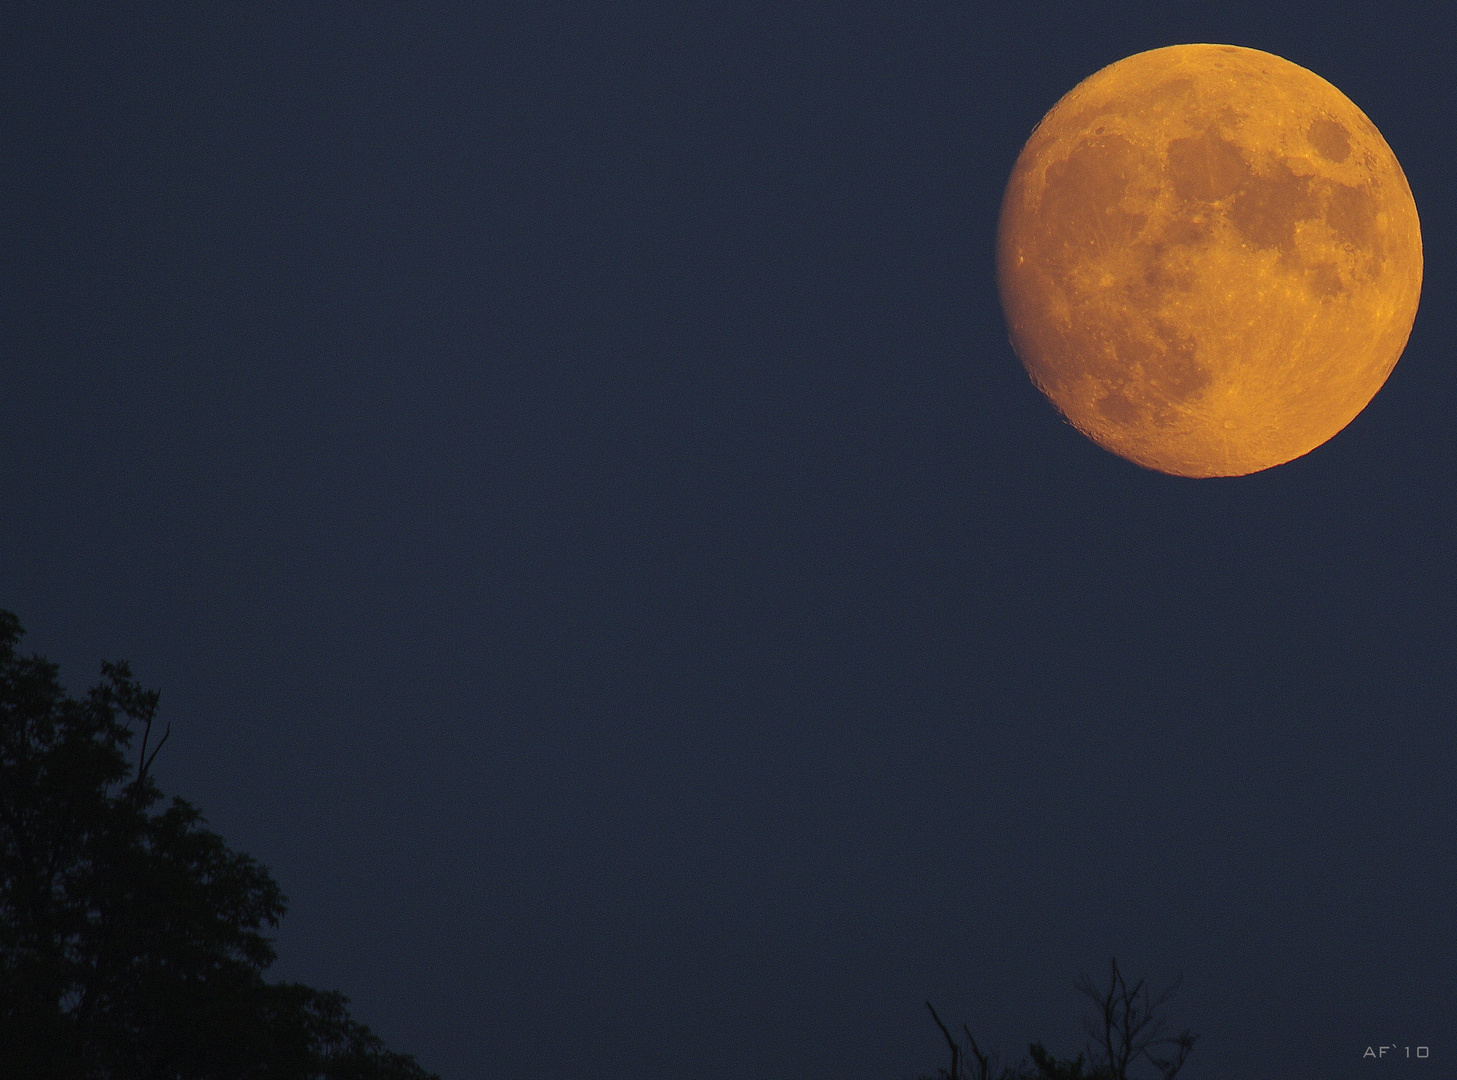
x=566, y=471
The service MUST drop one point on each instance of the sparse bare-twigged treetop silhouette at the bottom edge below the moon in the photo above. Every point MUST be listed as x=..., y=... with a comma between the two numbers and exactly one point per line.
x=1126, y=1030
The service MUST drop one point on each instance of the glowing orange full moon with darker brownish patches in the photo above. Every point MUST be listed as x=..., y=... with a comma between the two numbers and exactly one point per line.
x=1210, y=260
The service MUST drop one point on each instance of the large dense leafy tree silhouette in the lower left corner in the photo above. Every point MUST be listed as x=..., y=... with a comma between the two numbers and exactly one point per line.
x=133, y=939
